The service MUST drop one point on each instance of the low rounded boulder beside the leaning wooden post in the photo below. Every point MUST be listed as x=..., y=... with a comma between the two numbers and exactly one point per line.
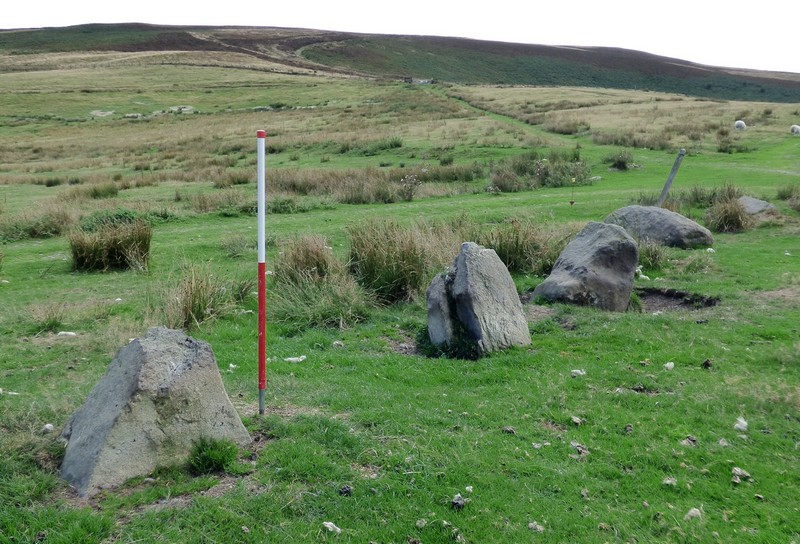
x=651, y=223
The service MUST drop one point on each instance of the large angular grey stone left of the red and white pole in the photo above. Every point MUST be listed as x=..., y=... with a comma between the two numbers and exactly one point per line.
x=161, y=393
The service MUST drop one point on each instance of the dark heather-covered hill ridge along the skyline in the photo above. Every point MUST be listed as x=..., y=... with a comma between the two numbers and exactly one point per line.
x=423, y=57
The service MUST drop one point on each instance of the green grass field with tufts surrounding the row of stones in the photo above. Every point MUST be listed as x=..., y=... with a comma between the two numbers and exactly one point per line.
x=629, y=452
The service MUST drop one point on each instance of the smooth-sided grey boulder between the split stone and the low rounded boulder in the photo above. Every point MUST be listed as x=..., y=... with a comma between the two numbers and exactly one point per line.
x=595, y=269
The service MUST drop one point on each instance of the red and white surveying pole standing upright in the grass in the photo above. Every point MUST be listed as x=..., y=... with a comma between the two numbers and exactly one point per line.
x=262, y=268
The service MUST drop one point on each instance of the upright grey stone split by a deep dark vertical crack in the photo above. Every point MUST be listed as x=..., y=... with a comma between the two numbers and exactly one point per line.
x=477, y=299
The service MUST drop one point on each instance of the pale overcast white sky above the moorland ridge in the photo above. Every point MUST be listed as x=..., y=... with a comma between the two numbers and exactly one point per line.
x=760, y=35
